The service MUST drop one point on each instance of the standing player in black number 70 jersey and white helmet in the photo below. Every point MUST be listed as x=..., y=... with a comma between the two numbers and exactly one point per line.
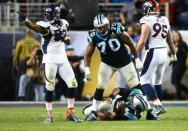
x=110, y=39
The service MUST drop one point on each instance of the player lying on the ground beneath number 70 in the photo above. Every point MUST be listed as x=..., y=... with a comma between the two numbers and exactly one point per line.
x=120, y=106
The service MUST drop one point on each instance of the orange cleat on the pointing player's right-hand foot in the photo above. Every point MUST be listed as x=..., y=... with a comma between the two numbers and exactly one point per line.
x=71, y=117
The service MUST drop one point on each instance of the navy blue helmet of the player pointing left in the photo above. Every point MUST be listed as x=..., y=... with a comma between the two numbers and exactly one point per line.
x=52, y=13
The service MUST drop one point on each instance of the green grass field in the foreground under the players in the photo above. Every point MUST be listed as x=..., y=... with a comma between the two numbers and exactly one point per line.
x=31, y=119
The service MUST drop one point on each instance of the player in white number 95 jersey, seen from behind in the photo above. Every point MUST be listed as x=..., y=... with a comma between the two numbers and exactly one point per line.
x=155, y=35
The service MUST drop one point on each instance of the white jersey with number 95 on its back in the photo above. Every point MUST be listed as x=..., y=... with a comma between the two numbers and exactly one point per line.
x=159, y=27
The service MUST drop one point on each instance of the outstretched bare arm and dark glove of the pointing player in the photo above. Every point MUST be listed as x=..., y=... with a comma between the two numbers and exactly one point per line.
x=31, y=25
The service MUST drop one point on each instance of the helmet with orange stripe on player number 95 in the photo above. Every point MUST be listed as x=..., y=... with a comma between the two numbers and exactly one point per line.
x=152, y=6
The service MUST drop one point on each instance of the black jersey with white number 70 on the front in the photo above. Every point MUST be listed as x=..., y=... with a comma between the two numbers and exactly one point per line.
x=112, y=49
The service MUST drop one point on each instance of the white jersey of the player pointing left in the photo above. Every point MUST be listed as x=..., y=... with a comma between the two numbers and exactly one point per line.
x=53, y=49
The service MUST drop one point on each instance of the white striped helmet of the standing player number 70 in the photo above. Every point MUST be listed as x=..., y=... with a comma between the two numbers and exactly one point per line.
x=100, y=20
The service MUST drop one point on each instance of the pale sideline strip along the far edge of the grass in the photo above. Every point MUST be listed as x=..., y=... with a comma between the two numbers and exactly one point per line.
x=78, y=103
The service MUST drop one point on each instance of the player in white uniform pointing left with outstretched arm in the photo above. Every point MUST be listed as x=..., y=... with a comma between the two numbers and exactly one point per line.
x=53, y=31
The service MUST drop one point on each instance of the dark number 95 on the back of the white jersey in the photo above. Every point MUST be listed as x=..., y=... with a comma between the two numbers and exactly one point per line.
x=160, y=29
